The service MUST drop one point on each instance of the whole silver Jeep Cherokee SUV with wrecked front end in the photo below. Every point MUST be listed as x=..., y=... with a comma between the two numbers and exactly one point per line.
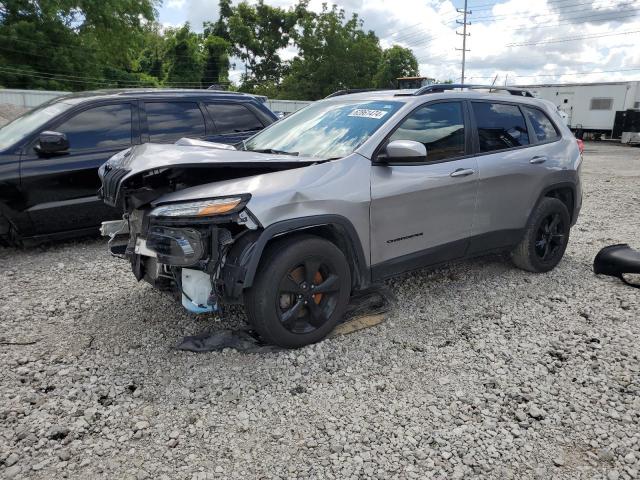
x=348, y=191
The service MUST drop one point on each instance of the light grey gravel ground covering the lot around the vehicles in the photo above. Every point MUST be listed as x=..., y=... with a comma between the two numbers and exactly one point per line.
x=481, y=370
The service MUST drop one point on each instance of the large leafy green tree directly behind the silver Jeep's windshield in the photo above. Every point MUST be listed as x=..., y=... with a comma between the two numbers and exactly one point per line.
x=334, y=53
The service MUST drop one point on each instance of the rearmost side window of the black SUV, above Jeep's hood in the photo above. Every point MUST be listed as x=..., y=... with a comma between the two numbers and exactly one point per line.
x=234, y=122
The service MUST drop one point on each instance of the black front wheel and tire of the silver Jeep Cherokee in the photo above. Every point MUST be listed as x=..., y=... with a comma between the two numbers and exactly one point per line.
x=279, y=304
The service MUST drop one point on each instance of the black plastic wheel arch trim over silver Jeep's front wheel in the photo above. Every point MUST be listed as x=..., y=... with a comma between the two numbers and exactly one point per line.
x=245, y=257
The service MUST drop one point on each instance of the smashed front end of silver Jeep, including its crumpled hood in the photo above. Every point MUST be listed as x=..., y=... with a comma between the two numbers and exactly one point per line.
x=194, y=248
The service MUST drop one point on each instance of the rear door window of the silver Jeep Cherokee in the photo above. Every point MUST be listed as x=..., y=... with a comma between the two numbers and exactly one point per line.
x=500, y=126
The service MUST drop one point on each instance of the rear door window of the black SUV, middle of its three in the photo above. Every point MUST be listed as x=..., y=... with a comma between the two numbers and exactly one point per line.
x=170, y=121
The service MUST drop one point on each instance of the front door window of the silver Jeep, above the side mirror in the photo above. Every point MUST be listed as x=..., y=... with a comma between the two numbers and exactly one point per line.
x=439, y=126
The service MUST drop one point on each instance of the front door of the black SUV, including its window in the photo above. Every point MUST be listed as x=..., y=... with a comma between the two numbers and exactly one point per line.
x=61, y=190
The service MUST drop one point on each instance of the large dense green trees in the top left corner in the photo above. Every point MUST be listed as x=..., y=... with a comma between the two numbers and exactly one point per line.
x=67, y=44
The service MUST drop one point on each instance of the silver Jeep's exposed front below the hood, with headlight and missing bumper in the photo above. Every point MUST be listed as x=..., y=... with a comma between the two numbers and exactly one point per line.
x=185, y=254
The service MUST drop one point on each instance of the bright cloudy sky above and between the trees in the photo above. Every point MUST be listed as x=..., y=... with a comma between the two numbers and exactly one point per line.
x=519, y=41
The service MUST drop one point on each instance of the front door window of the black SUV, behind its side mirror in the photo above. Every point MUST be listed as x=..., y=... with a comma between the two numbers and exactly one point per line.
x=99, y=127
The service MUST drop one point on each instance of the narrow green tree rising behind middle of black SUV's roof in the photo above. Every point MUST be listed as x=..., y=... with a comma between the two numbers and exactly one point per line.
x=183, y=57
